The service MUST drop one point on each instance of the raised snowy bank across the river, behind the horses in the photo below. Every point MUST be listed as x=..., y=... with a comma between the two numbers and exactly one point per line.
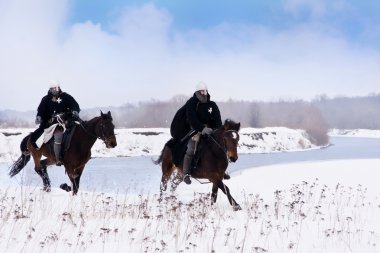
x=150, y=141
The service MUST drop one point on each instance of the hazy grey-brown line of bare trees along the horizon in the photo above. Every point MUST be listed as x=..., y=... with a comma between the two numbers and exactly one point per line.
x=316, y=116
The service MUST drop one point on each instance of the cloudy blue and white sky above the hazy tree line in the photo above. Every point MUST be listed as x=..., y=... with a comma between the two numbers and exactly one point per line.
x=110, y=53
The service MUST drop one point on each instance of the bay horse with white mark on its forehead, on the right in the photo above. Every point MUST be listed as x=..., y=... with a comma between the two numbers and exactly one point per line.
x=218, y=149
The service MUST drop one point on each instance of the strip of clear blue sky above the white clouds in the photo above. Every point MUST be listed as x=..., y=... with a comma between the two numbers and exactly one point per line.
x=350, y=17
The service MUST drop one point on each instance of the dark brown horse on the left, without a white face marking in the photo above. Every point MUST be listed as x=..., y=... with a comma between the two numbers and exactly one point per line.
x=75, y=157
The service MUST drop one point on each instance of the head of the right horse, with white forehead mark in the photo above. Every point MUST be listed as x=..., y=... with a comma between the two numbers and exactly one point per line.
x=231, y=138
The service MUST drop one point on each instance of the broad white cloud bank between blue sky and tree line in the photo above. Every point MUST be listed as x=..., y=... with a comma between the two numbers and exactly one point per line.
x=143, y=57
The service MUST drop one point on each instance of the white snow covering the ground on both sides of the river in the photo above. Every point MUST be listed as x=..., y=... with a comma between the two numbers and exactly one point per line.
x=327, y=206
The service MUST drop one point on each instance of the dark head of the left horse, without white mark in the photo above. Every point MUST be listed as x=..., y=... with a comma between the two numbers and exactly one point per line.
x=105, y=130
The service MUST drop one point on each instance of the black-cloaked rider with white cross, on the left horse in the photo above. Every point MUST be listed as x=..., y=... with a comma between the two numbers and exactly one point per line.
x=56, y=101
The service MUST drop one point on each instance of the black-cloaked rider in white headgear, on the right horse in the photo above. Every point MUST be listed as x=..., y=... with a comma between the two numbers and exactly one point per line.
x=203, y=116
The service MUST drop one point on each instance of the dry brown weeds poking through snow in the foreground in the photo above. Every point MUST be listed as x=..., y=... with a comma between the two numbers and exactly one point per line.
x=307, y=217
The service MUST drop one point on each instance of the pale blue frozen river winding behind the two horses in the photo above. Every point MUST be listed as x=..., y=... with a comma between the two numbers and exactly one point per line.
x=130, y=174
